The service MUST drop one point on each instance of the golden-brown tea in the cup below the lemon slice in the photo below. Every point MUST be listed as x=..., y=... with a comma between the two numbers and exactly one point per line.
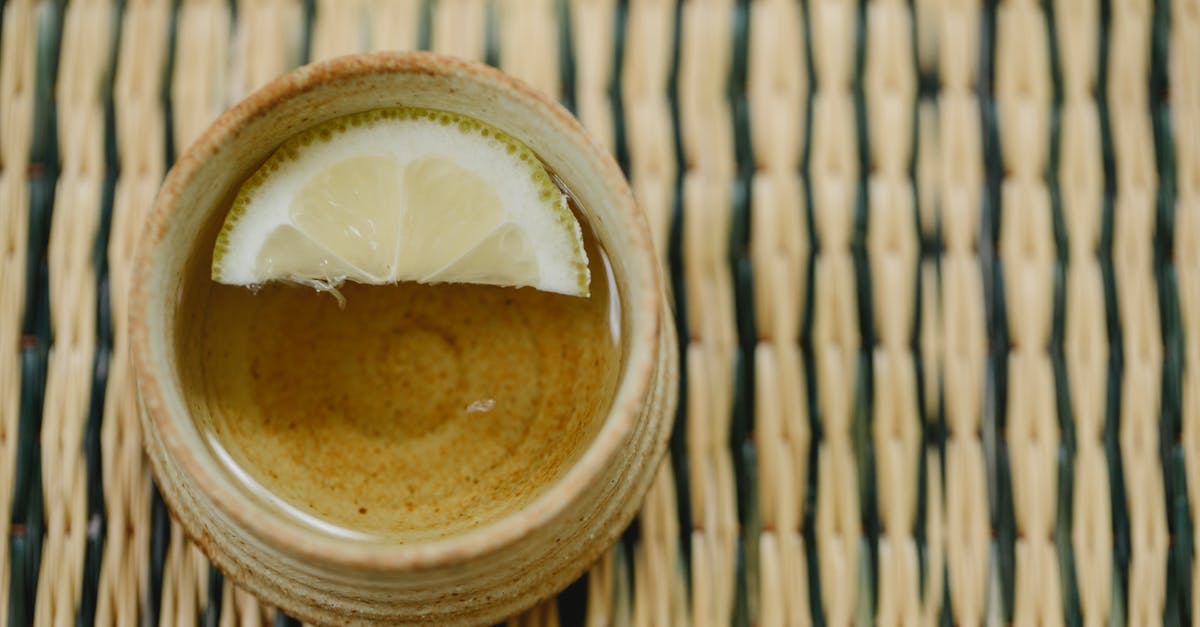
x=416, y=413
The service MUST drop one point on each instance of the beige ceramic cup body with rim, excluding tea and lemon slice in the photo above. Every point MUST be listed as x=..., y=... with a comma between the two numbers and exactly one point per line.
x=478, y=577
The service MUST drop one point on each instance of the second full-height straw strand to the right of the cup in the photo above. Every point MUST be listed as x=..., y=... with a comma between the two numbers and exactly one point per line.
x=779, y=252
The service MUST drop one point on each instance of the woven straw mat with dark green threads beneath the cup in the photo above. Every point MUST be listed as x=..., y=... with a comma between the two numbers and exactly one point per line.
x=937, y=267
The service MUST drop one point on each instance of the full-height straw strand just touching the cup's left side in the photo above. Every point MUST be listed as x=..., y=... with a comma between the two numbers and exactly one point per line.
x=141, y=147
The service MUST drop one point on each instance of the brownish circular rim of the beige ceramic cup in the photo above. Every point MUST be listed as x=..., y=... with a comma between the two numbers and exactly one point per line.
x=155, y=384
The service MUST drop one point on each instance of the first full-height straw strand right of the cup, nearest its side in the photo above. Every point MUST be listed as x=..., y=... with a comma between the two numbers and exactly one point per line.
x=707, y=134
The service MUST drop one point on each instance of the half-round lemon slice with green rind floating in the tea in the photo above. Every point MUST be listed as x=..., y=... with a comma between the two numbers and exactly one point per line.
x=403, y=195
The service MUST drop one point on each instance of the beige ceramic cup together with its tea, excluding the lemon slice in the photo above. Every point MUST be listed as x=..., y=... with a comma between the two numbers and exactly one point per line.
x=500, y=503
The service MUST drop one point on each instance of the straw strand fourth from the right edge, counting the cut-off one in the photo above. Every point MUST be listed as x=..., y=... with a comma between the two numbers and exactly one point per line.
x=1028, y=259
